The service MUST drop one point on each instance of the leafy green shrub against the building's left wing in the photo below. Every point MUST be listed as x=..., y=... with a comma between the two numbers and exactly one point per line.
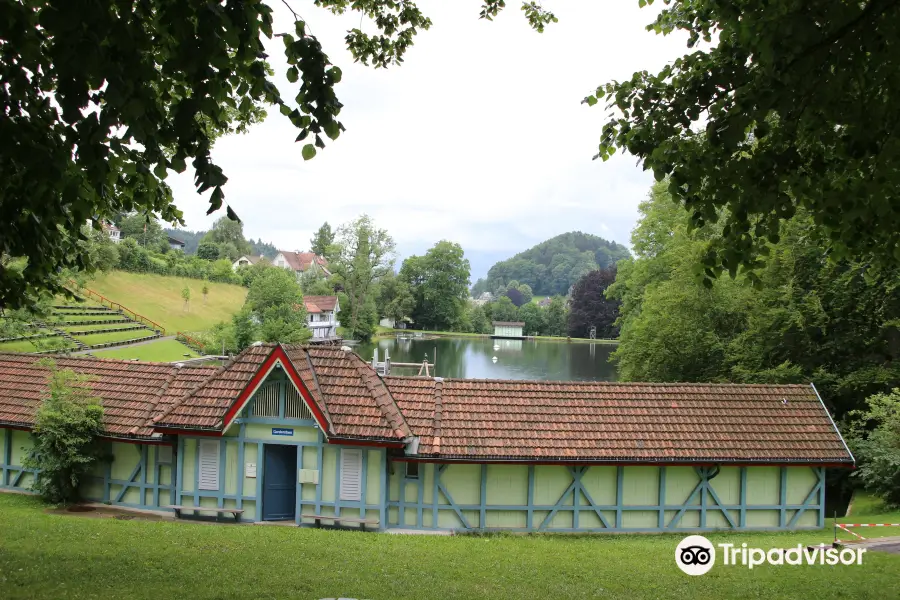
x=67, y=433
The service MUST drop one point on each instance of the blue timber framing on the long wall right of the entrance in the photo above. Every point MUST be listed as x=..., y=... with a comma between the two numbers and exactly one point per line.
x=708, y=502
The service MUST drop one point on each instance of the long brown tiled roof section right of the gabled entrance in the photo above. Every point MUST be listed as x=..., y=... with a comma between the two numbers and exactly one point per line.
x=465, y=419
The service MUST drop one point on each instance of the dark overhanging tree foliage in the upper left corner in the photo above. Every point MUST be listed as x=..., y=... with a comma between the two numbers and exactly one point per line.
x=97, y=107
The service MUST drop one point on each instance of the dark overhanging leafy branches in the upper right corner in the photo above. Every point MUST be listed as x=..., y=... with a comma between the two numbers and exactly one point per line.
x=794, y=101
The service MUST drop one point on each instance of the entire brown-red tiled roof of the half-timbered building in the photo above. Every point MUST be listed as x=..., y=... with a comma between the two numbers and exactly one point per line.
x=458, y=419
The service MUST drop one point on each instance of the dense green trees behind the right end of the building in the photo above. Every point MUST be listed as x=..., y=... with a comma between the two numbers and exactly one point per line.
x=805, y=315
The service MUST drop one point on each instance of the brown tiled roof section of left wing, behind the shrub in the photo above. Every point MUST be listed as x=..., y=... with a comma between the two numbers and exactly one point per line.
x=130, y=391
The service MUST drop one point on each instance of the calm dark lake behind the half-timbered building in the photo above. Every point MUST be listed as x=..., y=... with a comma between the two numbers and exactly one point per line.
x=472, y=358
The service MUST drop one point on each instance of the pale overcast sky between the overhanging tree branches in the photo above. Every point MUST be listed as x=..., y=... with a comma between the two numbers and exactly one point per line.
x=479, y=137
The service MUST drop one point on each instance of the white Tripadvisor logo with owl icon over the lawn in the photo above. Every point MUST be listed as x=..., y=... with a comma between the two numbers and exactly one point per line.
x=696, y=555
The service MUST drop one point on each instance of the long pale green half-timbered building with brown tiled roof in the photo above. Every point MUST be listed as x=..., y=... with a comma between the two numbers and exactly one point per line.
x=313, y=436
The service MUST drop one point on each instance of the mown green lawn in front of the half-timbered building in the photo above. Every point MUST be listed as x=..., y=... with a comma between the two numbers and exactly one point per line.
x=59, y=556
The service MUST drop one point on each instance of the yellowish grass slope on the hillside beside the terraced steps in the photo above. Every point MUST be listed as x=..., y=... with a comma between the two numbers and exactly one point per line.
x=158, y=297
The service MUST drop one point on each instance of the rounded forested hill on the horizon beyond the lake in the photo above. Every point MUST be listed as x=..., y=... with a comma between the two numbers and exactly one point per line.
x=552, y=266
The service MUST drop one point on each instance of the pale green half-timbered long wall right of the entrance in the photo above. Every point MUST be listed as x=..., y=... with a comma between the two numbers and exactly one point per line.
x=598, y=498
